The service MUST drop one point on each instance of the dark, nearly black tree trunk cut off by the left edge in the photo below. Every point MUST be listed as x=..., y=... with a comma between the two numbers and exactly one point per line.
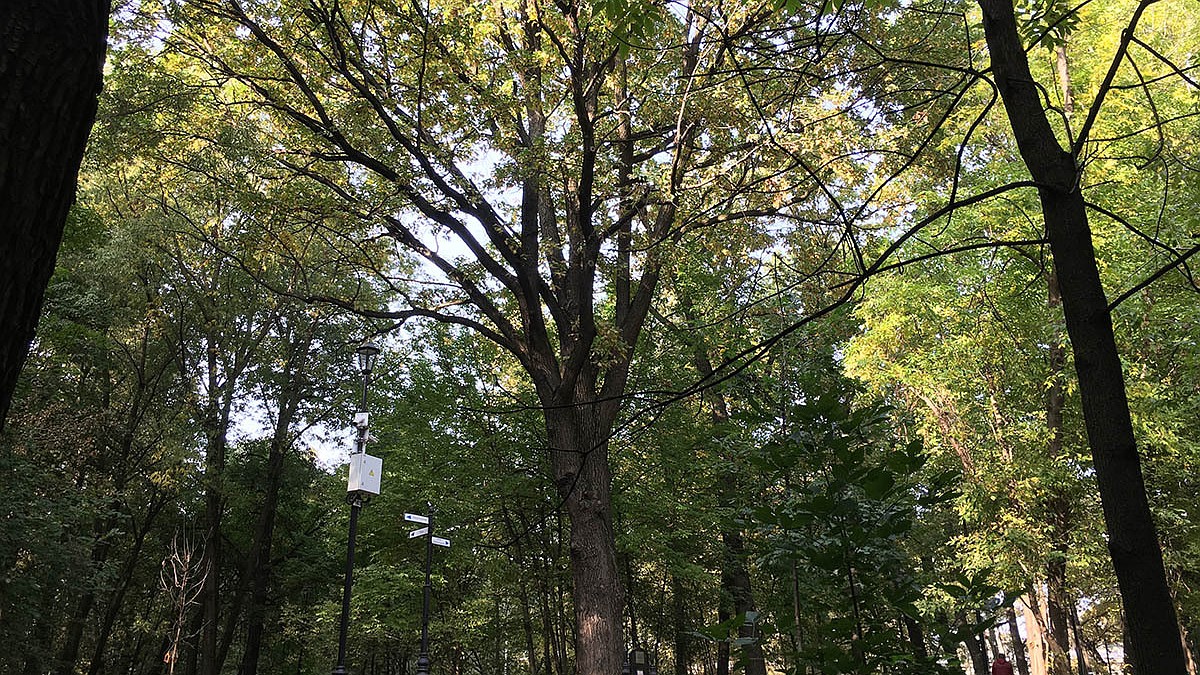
x=51, y=61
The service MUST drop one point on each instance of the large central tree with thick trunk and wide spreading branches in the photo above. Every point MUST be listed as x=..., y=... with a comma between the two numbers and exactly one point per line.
x=565, y=150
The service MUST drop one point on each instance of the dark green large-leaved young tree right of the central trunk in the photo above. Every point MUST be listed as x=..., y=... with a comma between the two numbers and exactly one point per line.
x=851, y=521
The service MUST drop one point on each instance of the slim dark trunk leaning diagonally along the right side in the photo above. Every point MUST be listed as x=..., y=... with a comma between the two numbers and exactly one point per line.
x=1133, y=542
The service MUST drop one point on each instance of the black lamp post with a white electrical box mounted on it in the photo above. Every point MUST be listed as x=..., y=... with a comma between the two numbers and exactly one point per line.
x=364, y=482
